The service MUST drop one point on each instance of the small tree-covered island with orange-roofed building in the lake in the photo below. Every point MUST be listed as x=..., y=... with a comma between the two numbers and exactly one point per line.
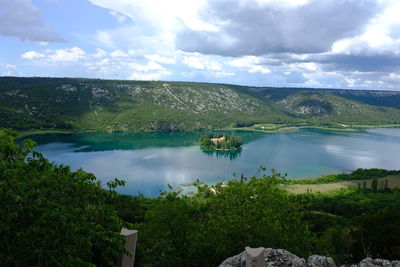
x=212, y=141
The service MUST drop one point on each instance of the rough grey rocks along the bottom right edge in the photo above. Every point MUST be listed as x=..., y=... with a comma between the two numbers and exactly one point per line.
x=283, y=258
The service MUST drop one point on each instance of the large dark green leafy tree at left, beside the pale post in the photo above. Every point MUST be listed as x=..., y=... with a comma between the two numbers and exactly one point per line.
x=50, y=215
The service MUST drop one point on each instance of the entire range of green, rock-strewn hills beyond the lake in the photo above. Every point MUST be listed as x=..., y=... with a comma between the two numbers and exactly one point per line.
x=113, y=105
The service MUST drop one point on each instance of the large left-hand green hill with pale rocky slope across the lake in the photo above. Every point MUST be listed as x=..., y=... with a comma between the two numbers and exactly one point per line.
x=107, y=105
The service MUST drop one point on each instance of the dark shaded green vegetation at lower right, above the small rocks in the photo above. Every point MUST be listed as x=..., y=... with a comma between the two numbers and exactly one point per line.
x=356, y=223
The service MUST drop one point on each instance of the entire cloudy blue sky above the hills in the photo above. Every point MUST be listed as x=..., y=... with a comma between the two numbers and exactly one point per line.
x=351, y=44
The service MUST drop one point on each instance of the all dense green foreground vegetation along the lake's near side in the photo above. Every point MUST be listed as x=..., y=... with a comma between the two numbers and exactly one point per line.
x=53, y=216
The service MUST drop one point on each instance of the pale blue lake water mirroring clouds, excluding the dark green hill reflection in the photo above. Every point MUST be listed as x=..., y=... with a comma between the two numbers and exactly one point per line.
x=305, y=154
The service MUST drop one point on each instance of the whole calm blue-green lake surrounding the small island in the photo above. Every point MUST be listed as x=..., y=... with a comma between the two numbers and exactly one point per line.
x=148, y=162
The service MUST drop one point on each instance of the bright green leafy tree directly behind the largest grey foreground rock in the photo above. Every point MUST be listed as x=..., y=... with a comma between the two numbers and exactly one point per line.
x=256, y=213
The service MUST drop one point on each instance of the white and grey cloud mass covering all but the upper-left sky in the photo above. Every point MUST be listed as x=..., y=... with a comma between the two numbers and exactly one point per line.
x=256, y=42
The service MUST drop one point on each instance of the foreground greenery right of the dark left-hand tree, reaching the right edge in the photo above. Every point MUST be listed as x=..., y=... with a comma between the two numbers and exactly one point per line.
x=220, y=221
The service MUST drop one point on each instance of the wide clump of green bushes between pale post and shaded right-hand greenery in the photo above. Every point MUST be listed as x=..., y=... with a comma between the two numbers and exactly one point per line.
x=219, y=221
